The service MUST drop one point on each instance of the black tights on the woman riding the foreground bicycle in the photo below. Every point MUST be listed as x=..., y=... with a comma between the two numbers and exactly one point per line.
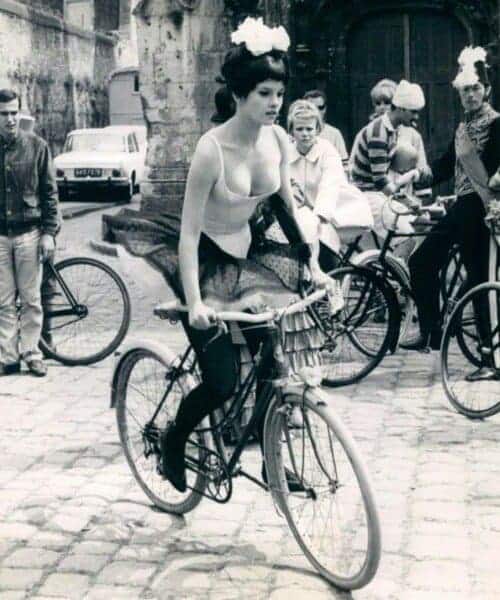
x=219, y=364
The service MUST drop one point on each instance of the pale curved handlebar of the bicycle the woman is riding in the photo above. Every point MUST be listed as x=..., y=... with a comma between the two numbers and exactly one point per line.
x=170, y=309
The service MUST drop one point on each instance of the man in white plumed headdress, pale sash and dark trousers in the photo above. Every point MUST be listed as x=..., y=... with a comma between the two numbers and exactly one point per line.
x=471, y=159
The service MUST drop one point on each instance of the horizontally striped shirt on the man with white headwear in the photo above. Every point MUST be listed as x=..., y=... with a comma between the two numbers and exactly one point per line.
x=371, y=154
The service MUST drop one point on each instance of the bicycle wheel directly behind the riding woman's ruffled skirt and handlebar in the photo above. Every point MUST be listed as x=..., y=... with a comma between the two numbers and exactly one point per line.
x=354, y=344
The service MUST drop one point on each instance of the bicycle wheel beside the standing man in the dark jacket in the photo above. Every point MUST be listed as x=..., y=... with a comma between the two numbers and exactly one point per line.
x=96, y=333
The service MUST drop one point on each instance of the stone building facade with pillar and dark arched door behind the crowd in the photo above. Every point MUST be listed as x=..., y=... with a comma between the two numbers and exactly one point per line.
x=340, y=47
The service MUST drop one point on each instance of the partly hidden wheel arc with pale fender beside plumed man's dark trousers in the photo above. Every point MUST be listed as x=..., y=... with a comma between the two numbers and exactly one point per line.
x=399, y=279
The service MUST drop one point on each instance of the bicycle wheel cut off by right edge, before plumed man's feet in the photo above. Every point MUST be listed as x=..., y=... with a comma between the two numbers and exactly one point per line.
x=460, y=352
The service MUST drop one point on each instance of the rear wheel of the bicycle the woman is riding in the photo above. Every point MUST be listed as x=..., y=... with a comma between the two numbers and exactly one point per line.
x=145, y=468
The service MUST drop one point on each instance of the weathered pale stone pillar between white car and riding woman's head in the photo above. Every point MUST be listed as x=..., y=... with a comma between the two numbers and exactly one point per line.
x=180, y=52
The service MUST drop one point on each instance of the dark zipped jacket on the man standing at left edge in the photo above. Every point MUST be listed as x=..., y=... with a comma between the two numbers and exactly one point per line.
x=29, y=186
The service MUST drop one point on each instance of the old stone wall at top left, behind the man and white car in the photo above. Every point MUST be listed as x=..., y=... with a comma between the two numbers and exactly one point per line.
x=60, y=71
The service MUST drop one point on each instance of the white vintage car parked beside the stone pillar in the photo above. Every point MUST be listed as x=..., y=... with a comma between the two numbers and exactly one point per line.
x=110, y=159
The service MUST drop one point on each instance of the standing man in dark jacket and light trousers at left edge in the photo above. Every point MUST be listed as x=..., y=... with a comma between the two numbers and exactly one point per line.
x=29, y=222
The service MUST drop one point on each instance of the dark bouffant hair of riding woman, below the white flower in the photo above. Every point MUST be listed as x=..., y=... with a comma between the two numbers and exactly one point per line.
x=243, y=71
